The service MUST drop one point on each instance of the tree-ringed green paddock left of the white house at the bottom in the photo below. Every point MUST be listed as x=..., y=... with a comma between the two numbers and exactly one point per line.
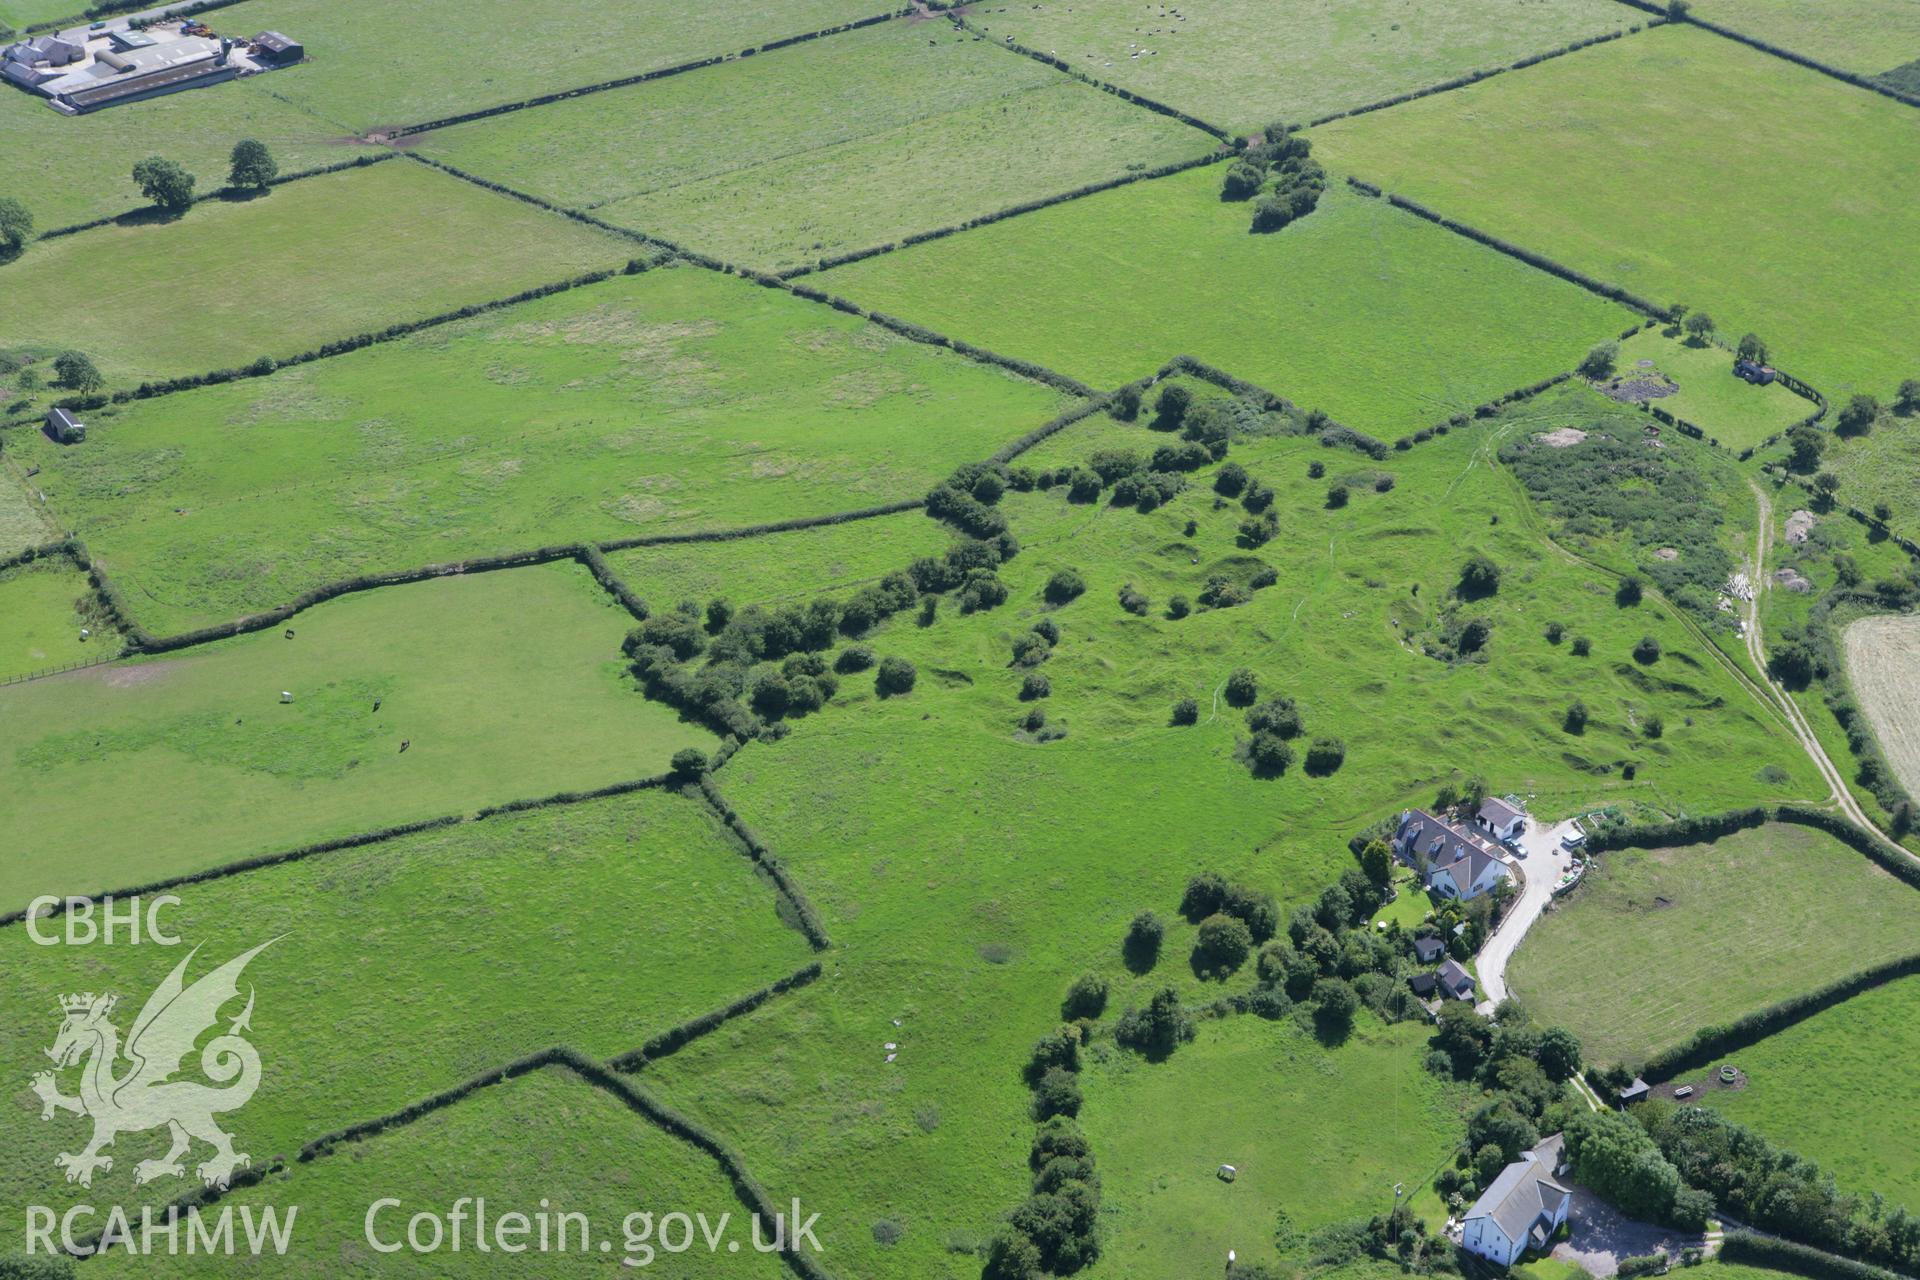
x=1316, y=1133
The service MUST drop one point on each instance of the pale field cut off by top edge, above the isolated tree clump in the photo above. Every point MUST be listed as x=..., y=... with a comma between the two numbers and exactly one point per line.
x=1243, y=64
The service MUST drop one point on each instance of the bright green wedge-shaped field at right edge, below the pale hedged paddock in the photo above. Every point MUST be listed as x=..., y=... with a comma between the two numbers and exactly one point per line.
x=1838, y=1089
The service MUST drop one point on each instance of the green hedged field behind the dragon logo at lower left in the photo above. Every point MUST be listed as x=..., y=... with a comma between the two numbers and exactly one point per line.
x=402, y=970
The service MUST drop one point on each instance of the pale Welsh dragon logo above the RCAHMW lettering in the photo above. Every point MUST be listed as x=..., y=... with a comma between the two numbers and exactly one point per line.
x=147, y=1095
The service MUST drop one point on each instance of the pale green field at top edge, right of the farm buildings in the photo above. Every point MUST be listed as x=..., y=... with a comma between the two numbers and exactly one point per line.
x=381, y=68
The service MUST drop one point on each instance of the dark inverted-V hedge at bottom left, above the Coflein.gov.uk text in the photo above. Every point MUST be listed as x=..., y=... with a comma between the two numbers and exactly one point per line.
x=592, y=1074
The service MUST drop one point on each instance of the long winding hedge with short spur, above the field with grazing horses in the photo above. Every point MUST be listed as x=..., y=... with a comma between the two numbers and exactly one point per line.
x=592, y=556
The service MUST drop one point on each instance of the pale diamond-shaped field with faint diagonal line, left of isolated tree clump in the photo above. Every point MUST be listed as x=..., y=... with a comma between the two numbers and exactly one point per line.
x=857, y=141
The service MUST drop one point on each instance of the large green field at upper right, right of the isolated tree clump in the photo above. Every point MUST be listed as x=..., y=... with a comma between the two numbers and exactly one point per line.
x=1621, y=162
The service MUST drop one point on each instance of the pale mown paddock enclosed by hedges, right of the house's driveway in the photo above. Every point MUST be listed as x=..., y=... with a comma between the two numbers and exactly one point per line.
x=1660, y=943
